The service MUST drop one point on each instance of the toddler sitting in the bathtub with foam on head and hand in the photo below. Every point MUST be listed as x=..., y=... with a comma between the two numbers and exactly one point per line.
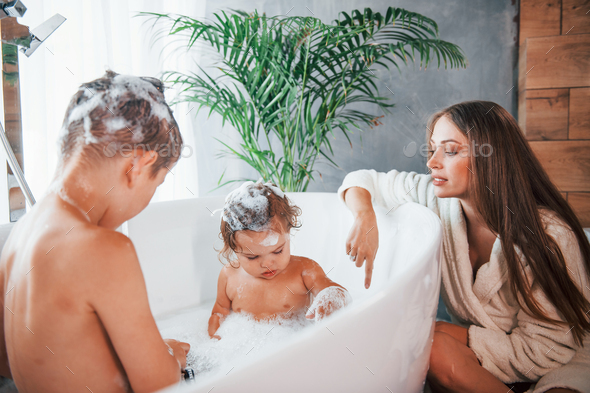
x=262, y=278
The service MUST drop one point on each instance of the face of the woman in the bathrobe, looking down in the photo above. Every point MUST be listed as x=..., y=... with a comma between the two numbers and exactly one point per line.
x=450, y=160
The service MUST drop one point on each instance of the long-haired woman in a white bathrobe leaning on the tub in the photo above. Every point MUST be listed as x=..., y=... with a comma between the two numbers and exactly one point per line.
x=516, y=261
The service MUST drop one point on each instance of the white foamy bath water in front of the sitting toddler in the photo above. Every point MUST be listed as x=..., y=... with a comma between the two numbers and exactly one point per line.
x=243, y=339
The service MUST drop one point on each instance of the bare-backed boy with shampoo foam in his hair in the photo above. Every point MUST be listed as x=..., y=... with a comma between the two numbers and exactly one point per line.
x=76, y=314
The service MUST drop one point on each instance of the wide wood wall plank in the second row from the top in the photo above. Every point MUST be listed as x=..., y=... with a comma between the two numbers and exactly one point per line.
x=555, y=62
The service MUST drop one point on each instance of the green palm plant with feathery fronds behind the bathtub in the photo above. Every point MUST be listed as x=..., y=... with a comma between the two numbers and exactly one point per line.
x=300, y=80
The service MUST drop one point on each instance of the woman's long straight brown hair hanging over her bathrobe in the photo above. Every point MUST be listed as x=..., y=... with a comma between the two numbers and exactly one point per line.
x=508, y=187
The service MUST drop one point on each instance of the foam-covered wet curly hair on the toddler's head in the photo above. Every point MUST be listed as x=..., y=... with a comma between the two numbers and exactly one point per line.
x=252, y=207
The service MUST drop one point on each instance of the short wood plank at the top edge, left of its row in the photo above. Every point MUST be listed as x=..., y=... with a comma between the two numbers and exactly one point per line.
x=539, y=19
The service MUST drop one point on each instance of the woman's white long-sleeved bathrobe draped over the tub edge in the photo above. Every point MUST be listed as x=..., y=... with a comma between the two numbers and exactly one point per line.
x=508, y=342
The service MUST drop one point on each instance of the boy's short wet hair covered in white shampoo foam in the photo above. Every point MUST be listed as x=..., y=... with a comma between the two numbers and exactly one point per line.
x=115, y=111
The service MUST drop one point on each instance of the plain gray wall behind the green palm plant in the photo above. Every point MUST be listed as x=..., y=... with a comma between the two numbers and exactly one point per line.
x=487, y=32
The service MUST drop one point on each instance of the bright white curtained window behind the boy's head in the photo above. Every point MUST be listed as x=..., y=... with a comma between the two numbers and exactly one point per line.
x=96, y=36
